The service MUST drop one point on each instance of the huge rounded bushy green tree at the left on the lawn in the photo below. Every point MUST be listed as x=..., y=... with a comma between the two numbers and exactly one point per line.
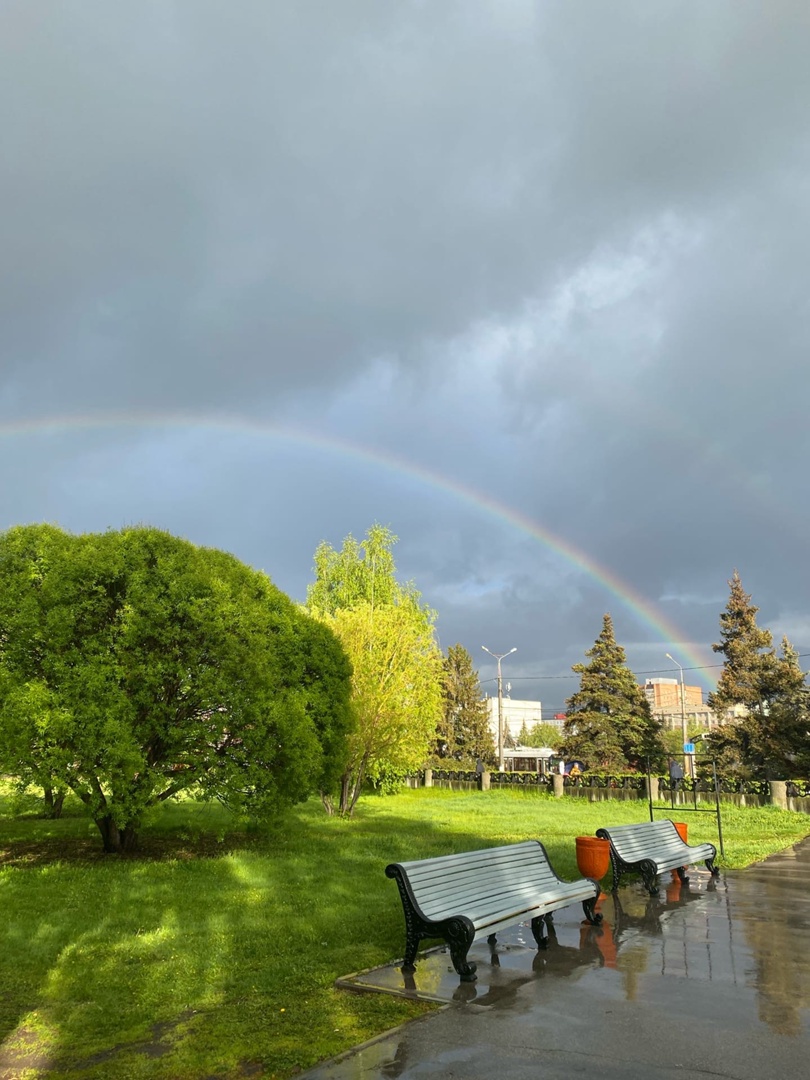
x=136, y=666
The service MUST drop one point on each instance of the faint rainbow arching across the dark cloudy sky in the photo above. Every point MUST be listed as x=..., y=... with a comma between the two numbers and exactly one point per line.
x=643, y=611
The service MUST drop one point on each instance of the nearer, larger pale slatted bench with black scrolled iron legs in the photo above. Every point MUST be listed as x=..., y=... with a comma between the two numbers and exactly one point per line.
x=466, y=897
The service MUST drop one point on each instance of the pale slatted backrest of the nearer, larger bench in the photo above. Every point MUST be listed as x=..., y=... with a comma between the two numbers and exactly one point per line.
x=448, y=885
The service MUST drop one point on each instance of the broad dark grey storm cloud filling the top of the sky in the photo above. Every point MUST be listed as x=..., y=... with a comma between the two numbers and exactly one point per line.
x=290, y=194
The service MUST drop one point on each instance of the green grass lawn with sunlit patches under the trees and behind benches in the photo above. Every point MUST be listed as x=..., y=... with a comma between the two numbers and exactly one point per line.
x=214, y=952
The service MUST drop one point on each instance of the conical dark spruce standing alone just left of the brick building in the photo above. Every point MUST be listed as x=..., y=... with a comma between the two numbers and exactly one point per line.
x=610, y=724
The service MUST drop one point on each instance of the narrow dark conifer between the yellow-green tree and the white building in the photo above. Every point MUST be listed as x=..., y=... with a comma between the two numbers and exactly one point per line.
x=464, y=734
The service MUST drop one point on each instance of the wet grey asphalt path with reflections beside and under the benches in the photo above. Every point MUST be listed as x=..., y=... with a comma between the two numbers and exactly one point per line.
x=710, y=979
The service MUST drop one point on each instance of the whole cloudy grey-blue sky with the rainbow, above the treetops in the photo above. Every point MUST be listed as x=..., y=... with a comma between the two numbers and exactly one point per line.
x=525, y=281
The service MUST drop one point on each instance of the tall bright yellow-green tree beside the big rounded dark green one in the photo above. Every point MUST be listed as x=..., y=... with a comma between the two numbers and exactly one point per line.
x=397, y=685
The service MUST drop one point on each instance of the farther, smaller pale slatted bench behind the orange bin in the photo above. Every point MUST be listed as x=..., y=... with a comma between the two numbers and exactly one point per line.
x=652, y=847
